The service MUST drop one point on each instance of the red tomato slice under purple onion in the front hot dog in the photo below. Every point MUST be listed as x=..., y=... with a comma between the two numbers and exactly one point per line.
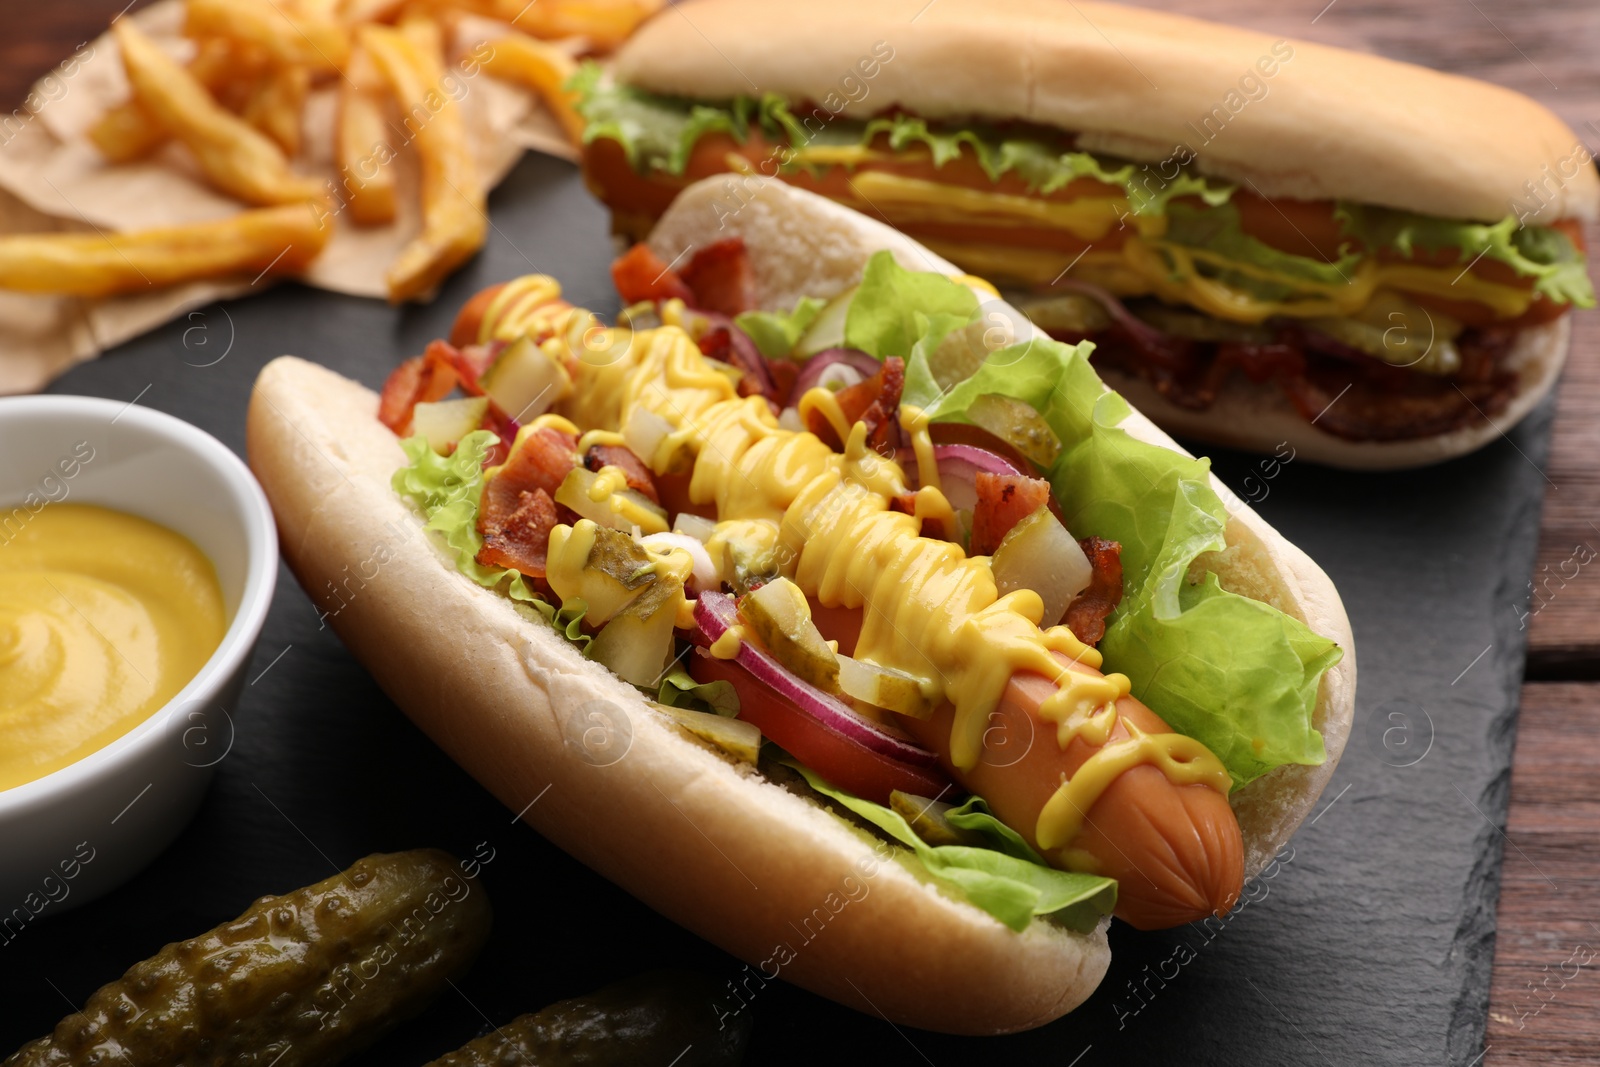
x=841, y=761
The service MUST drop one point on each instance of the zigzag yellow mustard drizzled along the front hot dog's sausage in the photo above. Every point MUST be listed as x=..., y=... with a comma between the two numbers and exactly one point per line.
x=786, y=503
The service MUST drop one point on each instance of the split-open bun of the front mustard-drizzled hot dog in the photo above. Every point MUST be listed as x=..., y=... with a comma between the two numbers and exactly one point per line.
x=718, y=849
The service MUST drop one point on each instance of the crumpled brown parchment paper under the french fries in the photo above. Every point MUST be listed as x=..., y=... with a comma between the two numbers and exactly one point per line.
x=54, y=180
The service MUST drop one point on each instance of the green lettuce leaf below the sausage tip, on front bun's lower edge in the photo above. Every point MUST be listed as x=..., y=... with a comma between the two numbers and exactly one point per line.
x=1004, y=885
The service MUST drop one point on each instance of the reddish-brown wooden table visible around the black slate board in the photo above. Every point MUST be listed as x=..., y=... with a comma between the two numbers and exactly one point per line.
x=1545, y=1005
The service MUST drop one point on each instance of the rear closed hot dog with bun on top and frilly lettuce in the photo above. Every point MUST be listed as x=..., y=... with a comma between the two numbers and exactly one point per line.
x=1276, y=226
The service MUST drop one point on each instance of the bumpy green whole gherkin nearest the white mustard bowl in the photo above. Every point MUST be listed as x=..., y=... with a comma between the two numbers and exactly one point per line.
x=297, y=981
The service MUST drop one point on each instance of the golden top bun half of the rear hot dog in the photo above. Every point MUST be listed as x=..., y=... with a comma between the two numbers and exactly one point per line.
x=1137, y=84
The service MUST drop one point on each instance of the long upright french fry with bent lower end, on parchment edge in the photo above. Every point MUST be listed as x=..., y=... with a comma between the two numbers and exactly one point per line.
x=455, y=218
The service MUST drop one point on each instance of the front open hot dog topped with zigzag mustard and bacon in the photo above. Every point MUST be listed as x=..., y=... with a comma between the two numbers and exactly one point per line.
x=663, y=503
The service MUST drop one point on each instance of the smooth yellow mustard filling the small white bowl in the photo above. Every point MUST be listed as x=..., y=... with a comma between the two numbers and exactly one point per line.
x=103, y=620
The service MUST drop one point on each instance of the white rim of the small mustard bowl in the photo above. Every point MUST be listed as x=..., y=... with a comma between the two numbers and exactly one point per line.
x=239, y=641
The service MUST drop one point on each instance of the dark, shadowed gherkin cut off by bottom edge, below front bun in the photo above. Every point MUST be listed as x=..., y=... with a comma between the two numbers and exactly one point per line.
x=657, y=1018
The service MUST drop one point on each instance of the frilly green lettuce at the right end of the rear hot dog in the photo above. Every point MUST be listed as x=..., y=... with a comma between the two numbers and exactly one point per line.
x=1534, y=252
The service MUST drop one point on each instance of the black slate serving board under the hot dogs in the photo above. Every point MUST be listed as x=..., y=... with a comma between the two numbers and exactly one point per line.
x=1369, y=945
